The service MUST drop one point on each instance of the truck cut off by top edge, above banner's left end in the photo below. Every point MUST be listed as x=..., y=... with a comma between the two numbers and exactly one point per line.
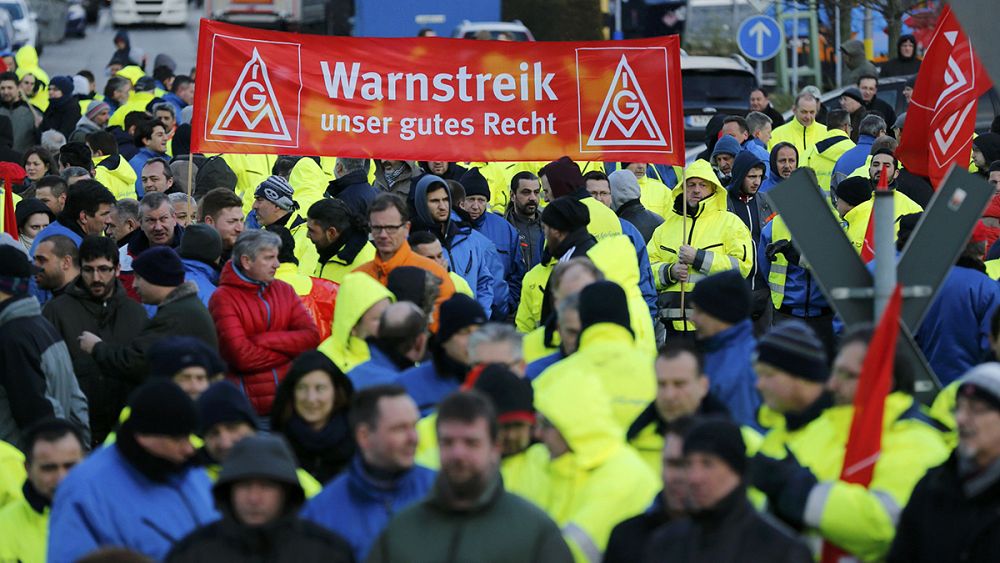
x=310, y=16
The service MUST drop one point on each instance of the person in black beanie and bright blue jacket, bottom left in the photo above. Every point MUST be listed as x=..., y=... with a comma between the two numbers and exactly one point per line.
x=139, y=493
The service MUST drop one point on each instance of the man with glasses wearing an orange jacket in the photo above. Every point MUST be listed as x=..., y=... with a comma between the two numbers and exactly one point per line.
x=390, y=226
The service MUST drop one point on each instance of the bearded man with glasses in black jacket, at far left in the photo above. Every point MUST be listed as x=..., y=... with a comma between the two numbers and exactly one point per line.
x=96, y=302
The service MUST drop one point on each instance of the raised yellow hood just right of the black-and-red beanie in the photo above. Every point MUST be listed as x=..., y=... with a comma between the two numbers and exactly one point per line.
x=578, y=407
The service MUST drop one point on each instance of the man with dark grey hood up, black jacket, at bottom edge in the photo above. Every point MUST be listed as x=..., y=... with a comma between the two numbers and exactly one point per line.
x=259, y=496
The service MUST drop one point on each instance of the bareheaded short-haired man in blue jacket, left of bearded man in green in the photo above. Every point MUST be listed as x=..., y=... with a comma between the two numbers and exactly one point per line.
x=382, y=478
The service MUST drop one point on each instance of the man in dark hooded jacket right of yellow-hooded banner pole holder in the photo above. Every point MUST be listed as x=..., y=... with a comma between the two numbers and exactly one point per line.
x=752, y=207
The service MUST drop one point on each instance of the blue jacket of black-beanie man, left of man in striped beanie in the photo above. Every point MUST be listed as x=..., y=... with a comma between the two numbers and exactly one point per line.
x=730, y=375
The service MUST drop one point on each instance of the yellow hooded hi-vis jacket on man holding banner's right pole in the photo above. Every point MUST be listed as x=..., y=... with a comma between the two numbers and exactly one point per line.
x=722, y=240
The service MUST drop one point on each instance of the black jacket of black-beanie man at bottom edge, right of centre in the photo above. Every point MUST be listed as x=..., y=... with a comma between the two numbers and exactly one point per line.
x=732, y=531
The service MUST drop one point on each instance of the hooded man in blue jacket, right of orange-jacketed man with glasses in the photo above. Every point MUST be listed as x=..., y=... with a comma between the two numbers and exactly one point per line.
x=470, y=254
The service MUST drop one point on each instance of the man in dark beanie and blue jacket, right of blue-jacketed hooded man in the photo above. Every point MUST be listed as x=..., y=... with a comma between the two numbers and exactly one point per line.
x=497, y=229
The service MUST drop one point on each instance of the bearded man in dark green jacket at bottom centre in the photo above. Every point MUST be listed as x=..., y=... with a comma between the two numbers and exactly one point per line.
x=468, y=515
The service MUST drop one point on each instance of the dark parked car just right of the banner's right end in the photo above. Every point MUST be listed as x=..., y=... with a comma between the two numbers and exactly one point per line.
x=713, y=85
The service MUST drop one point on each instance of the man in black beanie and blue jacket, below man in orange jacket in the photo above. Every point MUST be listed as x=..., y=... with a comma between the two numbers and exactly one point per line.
x=431, y=381
